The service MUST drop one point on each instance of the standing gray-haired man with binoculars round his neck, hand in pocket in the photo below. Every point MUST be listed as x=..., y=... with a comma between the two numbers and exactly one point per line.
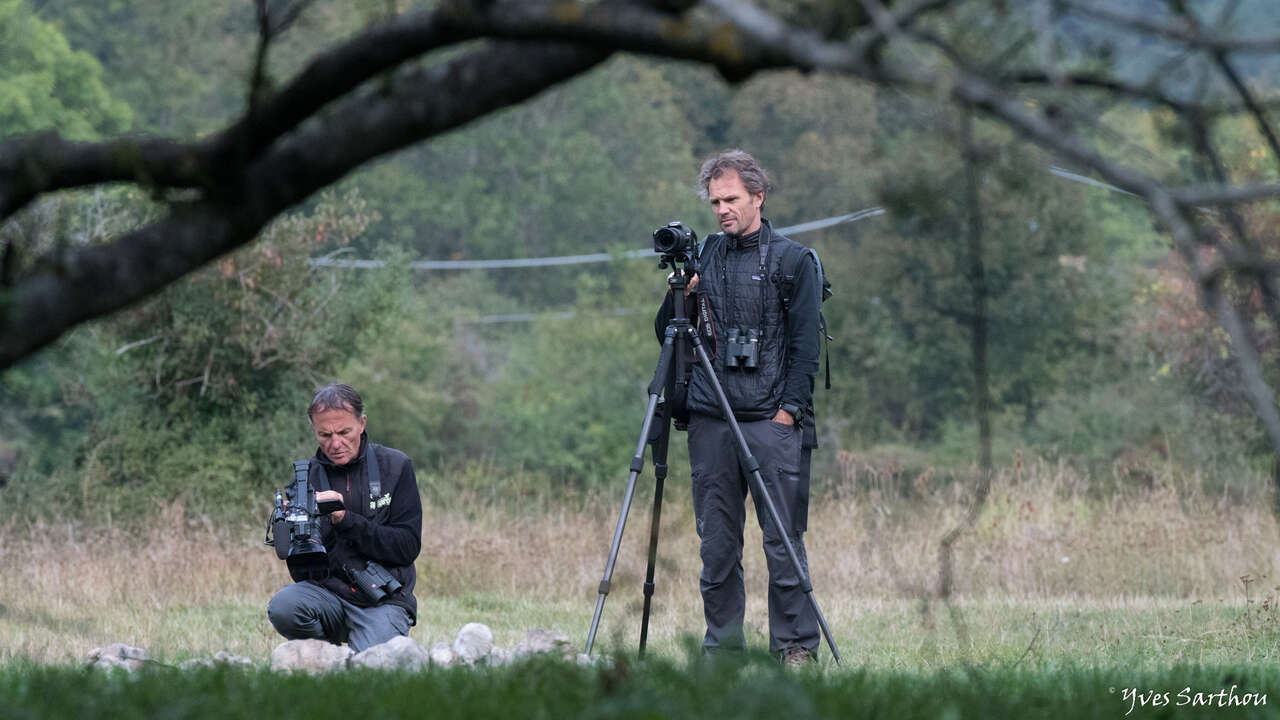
x=756, y=303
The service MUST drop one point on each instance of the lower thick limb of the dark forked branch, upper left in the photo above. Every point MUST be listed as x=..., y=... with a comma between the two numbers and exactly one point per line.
x=103, y=279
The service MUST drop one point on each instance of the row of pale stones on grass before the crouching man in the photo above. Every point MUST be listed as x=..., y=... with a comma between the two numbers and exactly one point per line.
x=472, y=648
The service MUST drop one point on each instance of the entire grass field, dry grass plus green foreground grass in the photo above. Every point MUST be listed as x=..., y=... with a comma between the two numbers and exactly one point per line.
x=1060, y=595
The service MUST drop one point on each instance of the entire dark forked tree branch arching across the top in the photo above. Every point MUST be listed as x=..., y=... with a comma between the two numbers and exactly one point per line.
x=285, y=161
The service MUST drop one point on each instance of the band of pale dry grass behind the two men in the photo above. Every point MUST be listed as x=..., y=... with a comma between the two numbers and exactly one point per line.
x=1048, y=573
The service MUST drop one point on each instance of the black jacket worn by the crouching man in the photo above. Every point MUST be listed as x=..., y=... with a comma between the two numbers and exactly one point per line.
x=390, y=535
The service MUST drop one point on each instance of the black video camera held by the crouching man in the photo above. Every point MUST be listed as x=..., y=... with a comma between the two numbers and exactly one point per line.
x=295, y=530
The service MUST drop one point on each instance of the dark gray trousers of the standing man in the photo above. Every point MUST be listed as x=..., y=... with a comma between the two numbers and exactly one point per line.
x=720, y=508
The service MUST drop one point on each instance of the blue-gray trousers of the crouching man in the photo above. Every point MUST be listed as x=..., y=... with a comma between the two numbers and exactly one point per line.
x=307, y=610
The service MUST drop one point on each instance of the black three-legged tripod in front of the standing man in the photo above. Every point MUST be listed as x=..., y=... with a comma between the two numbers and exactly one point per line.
x=679, y=338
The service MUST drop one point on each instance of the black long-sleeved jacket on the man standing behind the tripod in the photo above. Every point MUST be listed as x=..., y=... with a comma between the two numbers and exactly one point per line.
x=743, y=289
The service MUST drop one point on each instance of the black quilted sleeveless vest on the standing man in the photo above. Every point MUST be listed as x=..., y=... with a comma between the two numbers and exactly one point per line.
x=740, y=290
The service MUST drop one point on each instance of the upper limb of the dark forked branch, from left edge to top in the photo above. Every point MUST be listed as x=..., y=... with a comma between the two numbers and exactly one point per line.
x=44, y=163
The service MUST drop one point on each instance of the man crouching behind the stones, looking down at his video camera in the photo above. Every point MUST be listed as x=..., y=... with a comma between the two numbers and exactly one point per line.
x=382, y=523
